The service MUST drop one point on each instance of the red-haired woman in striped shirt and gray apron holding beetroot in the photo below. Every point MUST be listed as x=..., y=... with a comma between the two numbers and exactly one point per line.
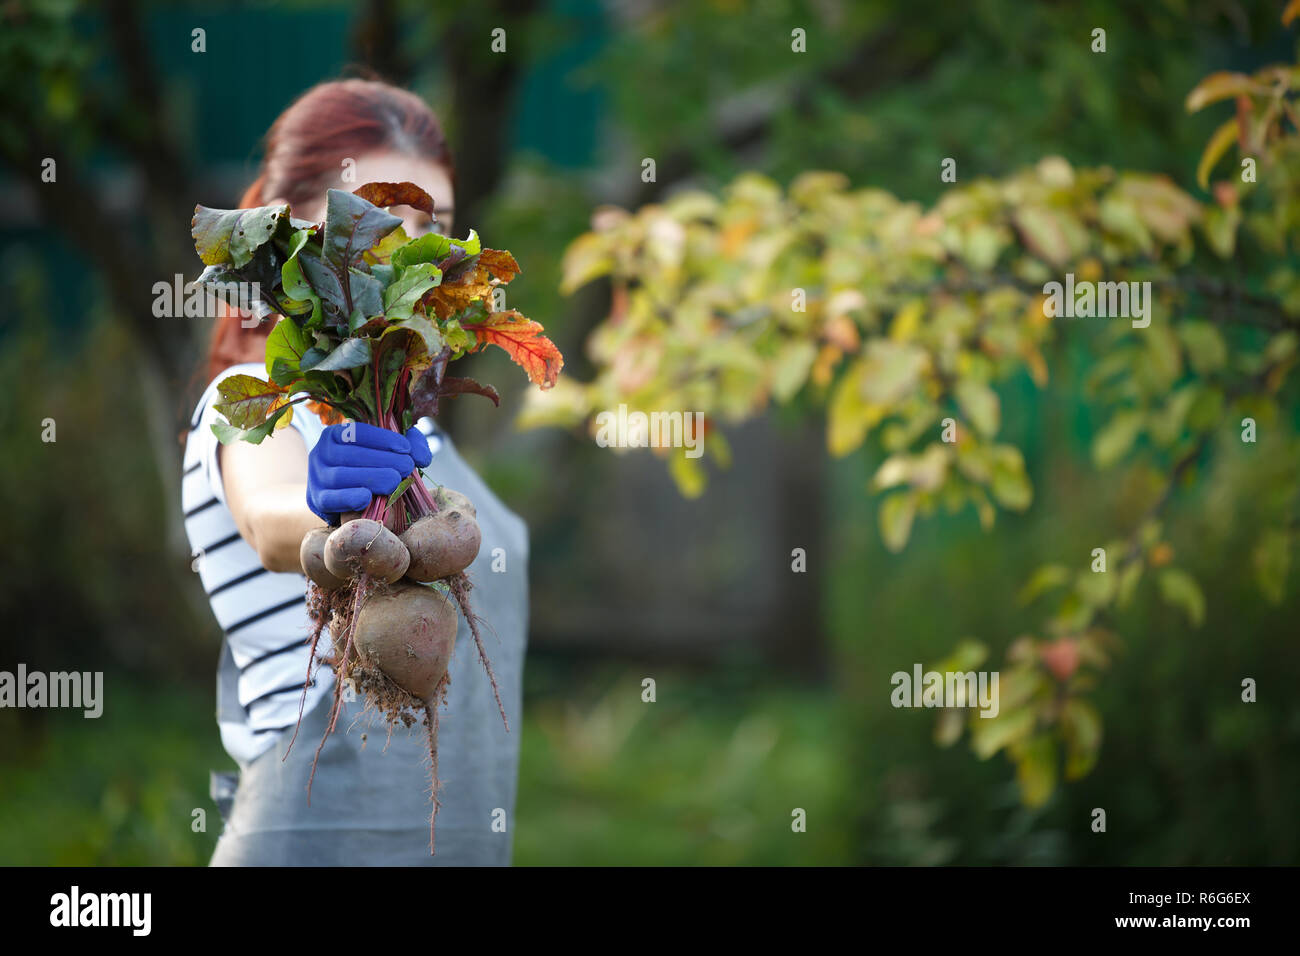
x=248, y=508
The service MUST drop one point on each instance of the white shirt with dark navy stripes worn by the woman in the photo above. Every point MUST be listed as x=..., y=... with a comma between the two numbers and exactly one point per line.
x=263, y=613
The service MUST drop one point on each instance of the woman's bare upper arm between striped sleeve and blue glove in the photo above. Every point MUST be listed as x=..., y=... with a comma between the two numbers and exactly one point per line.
x=267, y=492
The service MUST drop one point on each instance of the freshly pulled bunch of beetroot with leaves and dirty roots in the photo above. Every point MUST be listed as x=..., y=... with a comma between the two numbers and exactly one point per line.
x=370, y=321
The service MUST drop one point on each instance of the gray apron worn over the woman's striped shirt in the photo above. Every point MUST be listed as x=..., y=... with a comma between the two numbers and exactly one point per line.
x=371, y=795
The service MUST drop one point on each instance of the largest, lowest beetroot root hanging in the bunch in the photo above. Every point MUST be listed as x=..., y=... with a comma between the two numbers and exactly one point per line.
x=409, y=633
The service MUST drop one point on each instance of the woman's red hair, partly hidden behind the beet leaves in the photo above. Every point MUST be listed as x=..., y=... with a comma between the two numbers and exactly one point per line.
x=306, y=149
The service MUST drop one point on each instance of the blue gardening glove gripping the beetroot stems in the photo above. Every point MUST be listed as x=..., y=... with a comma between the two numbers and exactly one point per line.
x=345, y=475
